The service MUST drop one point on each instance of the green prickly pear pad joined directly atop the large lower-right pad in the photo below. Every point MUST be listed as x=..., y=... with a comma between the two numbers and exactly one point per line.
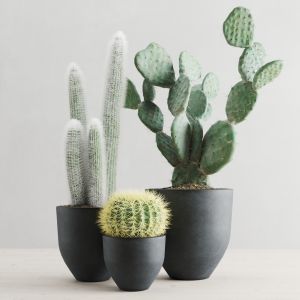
x=240, y=102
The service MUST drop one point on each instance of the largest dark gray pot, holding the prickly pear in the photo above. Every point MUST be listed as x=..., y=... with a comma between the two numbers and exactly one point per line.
x=199, y=233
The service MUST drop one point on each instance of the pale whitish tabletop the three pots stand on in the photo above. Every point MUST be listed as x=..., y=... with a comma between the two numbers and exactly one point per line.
x=242, y=275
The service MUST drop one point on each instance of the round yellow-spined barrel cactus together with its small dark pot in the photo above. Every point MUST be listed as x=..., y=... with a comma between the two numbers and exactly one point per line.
x=133, y=226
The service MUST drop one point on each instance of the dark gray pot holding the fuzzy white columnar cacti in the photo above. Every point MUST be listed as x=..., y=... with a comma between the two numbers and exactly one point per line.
x=80, y=243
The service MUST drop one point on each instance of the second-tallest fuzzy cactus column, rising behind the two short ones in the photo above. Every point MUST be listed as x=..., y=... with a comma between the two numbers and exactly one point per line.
x=76, y=94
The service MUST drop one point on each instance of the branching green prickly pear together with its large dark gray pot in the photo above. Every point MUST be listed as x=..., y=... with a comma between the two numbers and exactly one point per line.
x=200, y=229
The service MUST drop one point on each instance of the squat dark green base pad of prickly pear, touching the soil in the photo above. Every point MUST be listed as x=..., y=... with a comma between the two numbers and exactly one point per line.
x=187, y=174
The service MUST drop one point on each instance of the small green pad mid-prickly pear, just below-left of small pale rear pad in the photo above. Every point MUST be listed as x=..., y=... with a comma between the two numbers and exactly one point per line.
x=197, y=103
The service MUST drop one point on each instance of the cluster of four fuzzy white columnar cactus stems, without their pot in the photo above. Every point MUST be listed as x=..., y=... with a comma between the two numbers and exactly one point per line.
x=86, y=146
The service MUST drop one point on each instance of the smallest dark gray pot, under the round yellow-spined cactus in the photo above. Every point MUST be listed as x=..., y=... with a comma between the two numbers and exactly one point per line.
x=134, y=262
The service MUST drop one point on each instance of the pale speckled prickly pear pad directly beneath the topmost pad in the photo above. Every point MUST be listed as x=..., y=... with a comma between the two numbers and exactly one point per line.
x=251, y=60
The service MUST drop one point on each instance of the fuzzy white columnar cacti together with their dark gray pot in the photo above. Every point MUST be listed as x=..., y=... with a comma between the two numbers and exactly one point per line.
x=91, y=157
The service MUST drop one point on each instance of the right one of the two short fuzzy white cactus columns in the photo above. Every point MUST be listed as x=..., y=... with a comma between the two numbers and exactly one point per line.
x=97, y=165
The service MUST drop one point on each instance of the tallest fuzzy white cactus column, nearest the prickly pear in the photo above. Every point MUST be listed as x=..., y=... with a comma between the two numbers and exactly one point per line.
x=114, y=97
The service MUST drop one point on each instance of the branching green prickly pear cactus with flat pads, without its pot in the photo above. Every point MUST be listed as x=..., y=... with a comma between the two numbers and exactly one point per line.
x=193, y=155
